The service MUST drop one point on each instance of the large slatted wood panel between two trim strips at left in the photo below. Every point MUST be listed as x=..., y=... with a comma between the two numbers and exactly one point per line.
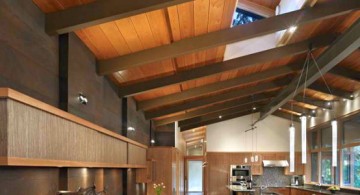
x=36, y=134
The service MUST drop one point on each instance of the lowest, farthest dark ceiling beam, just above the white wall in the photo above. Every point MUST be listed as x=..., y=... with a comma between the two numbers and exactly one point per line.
x=216, y=115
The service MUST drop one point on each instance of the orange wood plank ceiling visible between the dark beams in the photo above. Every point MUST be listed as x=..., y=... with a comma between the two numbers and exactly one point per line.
x=165, y=26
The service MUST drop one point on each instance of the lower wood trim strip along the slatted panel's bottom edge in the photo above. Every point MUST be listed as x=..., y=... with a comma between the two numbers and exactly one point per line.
x=15, y=161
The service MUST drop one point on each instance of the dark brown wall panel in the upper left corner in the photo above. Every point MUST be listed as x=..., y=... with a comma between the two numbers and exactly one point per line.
x=28, y=56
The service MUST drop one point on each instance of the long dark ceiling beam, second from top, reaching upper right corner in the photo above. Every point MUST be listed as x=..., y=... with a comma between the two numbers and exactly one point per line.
x=243, y=32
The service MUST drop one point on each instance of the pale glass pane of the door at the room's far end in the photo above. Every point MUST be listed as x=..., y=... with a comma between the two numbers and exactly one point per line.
x=195, y=176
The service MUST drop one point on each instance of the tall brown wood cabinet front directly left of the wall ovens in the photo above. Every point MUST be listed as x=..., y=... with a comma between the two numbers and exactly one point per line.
x=218, y=173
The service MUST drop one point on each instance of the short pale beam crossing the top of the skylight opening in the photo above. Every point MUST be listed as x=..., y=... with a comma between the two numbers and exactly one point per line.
x=255, y=8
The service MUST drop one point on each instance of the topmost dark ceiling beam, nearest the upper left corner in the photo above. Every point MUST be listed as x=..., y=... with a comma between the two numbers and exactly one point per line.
x=98, y=12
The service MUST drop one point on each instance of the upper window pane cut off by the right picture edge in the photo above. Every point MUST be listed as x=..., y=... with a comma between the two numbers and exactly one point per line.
x=352, y=130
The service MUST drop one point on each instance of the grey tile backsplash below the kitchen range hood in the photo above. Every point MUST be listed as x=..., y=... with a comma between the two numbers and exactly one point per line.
x=272, y=177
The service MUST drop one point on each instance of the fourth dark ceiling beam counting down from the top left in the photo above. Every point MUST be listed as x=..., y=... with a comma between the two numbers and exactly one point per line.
x=210, y=88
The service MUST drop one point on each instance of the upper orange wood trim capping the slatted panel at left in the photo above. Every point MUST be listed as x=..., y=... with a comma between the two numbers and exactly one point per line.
x=17, y=96
